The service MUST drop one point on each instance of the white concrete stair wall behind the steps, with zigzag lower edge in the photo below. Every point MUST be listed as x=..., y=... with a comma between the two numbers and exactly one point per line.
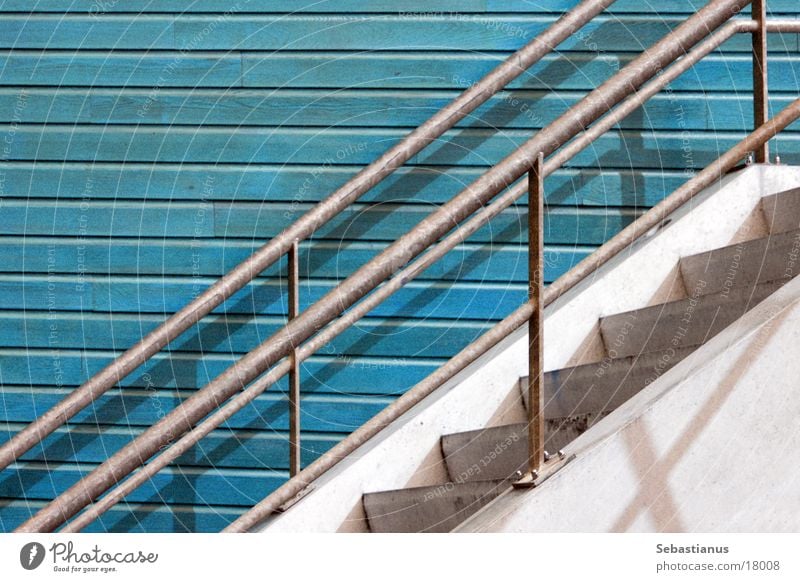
x=647, y=274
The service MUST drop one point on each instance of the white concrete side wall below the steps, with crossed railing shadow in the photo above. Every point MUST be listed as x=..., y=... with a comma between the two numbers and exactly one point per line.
x=713, y=446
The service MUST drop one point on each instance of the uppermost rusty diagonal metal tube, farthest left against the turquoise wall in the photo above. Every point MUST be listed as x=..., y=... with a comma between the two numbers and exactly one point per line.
x=246, y=271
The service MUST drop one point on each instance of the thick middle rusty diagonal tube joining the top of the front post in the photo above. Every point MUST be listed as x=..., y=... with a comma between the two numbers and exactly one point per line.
x=181, y=419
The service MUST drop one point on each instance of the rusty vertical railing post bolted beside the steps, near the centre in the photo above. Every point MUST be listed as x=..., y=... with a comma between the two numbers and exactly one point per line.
x=535, y=289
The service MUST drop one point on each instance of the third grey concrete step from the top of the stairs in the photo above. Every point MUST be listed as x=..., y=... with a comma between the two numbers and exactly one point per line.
x=678, y=324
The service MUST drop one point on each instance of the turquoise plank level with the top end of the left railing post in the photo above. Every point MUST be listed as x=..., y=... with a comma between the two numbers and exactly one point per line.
x=319, y=259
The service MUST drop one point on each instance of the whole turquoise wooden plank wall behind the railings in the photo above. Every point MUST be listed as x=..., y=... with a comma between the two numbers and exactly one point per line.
x=148, y=147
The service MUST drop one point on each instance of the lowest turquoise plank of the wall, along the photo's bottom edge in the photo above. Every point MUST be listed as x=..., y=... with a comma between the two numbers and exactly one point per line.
x=134, y=518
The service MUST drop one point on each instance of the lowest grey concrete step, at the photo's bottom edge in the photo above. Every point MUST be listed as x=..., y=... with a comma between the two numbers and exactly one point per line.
x=434, y=509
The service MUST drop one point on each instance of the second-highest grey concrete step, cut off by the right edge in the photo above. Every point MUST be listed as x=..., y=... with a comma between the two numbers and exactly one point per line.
x=745, y=264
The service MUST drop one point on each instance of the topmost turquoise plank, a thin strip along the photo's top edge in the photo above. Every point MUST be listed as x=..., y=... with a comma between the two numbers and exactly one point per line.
x=358, y=6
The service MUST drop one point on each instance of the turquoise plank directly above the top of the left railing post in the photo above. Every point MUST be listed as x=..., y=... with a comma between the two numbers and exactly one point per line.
x=261, y=222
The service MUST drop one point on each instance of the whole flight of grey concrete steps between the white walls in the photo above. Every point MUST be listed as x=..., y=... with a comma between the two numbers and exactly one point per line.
x=721, y=285
